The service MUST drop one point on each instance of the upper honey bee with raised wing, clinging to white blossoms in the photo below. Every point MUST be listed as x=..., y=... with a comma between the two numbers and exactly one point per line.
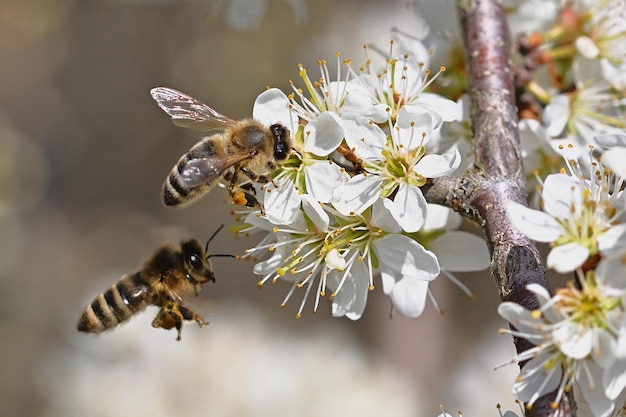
x=245, y=147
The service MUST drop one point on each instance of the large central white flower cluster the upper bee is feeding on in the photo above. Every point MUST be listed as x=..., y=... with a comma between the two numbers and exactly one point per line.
x=347, y=205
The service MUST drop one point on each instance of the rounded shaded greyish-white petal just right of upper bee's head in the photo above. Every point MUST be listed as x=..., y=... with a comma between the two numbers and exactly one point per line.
x=323, y=134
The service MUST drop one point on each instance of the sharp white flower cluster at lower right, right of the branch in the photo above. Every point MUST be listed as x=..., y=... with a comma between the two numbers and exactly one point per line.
x=580, y=332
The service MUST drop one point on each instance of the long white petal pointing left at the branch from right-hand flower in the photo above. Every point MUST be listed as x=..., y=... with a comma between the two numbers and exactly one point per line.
x=535, y=224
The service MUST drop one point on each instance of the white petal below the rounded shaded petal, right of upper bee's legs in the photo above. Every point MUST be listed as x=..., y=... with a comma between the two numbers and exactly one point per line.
x=323, y=178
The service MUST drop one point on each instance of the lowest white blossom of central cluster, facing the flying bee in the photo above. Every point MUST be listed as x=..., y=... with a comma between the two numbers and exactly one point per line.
x=323, y=249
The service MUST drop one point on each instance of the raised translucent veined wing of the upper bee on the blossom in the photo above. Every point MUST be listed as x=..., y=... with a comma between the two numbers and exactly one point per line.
x=188, y=112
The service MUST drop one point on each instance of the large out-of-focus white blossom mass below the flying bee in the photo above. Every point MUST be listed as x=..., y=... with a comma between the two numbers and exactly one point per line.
x=242, y=365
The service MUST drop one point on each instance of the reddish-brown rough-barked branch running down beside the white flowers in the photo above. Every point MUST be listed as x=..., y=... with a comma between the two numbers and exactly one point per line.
x=498, y=175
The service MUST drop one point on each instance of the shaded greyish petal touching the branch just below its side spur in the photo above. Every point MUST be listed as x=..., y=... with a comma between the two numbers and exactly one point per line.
x=461, y=251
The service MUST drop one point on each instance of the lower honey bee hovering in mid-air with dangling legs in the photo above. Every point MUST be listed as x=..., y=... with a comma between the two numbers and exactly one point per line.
x=164, y=279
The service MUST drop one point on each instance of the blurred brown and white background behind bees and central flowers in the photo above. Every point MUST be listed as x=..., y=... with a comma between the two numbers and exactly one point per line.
x=83, y=153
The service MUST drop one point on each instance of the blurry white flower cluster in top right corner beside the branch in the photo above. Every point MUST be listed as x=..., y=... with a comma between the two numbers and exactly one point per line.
x=583, y=91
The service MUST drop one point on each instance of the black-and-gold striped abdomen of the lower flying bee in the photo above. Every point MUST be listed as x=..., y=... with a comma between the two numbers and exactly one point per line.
x=115, y=305
